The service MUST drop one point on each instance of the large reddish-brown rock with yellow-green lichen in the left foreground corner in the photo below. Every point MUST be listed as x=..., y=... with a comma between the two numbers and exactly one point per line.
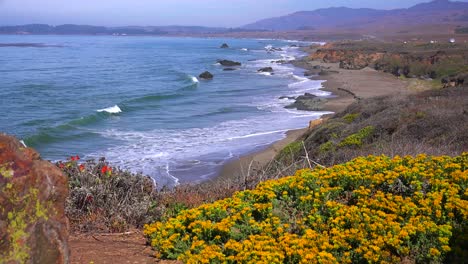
x=33, y=225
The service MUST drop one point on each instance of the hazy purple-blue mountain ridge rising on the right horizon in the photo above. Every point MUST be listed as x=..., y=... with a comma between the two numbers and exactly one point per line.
x=435, y=12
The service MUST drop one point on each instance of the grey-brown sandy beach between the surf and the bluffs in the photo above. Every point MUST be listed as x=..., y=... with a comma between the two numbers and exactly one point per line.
x=346, y=85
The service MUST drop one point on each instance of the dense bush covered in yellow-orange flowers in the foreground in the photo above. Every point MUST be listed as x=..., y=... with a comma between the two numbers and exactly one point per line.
x=369, y=210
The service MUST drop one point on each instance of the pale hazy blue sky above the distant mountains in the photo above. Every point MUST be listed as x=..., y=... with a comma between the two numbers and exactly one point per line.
x=225, y=13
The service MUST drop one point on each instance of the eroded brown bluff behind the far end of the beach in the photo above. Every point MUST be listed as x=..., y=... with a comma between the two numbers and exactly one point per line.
x=416, y=61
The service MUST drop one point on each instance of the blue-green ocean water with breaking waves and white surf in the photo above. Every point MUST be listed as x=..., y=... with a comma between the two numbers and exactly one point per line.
x=137, y=102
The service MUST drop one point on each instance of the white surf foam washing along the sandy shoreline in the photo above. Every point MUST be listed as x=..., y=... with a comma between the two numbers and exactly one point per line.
x=159, y=152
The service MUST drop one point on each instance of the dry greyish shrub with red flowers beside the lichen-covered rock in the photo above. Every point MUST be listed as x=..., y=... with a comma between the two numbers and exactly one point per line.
x=109, y=199
